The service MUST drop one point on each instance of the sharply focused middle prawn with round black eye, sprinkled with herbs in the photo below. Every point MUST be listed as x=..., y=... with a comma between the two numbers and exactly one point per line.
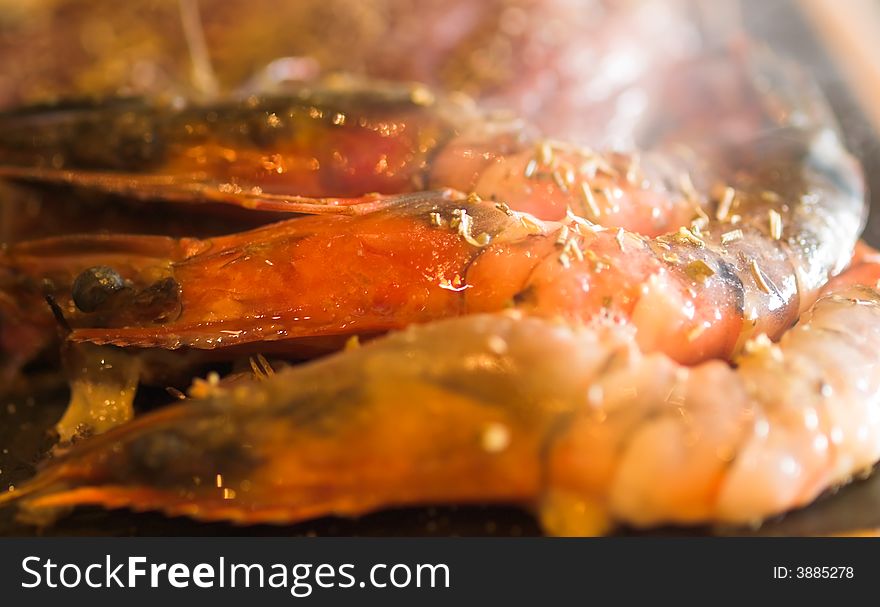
x=786, y=221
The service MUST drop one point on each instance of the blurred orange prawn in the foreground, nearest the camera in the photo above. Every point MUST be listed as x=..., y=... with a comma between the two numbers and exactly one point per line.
x=575, y=422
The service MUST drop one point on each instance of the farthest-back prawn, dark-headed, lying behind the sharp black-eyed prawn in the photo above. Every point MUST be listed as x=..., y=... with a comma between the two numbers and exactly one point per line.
x=321, y=149
